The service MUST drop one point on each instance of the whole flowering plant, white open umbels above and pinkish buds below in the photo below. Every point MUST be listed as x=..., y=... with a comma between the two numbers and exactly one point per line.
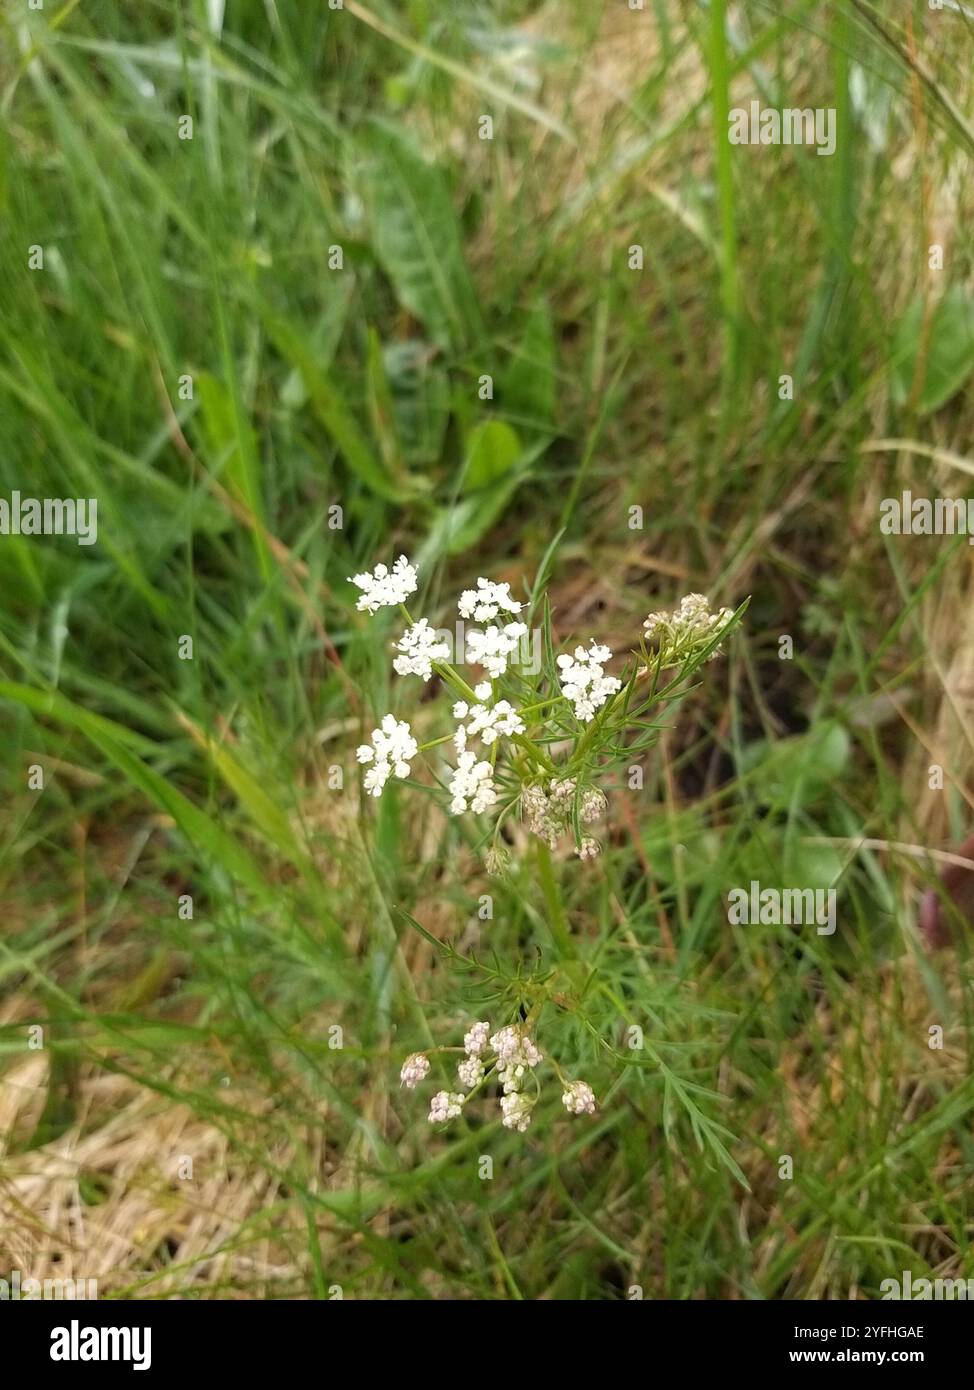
x=550, y=733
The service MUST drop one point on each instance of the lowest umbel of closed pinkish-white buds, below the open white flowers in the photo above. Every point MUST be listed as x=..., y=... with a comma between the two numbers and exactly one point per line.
x=511, y=1054
